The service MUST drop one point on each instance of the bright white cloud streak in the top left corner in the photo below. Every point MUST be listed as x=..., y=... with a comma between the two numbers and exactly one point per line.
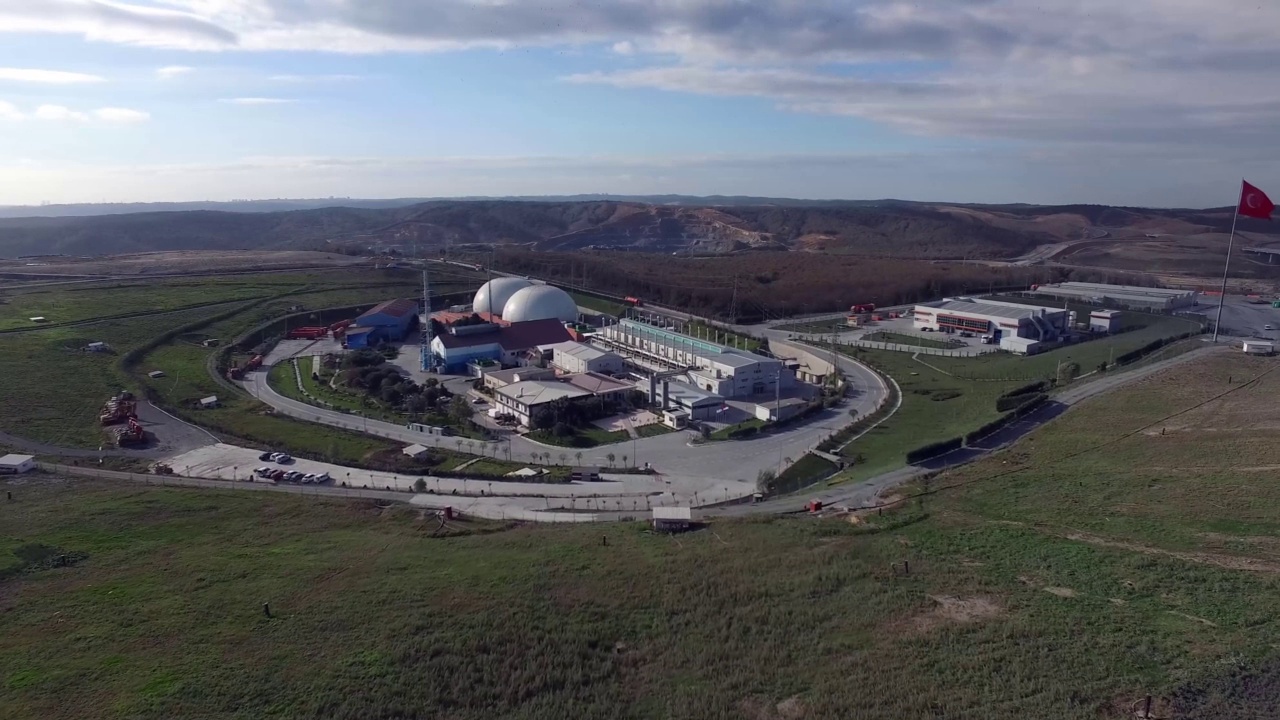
x=103, y=21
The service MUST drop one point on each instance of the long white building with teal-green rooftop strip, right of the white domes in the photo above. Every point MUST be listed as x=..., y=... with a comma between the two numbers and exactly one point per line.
x=714, y=368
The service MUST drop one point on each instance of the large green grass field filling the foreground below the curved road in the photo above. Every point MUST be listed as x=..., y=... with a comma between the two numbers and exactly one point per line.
x=1094, y=564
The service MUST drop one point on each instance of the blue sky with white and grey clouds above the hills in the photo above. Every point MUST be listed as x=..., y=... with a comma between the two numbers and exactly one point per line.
x=1155, y=103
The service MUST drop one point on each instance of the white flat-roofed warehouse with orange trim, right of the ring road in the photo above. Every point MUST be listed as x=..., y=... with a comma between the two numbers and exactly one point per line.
x=1018, y=329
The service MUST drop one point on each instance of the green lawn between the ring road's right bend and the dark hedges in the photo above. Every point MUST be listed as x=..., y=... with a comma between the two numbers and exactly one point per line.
x=927, y=413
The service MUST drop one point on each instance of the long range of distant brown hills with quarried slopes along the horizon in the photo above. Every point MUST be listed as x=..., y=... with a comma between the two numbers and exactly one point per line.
x=885, y=229
